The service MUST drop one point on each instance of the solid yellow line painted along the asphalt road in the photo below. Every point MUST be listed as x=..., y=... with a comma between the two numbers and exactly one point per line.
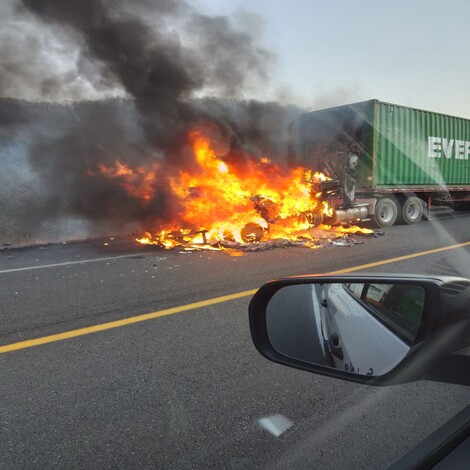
x=204, y=303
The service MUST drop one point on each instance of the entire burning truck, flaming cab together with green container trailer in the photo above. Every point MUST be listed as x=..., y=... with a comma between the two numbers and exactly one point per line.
x=369, y=161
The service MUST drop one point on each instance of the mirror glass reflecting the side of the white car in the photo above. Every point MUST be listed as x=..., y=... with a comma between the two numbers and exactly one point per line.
x=365, y=329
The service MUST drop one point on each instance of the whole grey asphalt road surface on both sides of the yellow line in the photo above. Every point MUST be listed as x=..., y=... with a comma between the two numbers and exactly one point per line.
x=187, y=390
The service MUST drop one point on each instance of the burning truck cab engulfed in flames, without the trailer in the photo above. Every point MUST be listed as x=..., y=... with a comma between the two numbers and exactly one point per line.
x=227, y=199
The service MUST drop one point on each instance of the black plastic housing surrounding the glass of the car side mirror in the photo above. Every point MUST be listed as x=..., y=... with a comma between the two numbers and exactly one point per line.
x=443, y=331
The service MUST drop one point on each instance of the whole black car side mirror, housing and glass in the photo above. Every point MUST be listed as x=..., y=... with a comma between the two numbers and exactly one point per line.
x=374, y=329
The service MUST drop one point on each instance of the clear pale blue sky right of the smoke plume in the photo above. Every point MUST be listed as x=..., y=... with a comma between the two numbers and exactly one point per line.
x=330, y=52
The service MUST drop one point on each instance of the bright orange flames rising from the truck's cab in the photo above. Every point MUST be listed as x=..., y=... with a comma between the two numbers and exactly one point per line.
x=223, y=201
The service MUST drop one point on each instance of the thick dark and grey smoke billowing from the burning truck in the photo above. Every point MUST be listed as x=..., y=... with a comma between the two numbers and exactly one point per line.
x=99, y=80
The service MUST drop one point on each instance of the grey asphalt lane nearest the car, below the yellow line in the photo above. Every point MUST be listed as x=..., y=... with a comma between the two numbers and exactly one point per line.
x=186, y=391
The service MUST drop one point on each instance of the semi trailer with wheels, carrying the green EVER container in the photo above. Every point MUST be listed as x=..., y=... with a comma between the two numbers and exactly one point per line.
x=384, y=162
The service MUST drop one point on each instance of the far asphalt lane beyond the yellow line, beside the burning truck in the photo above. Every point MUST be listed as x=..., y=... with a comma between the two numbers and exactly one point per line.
x=38, y=302
